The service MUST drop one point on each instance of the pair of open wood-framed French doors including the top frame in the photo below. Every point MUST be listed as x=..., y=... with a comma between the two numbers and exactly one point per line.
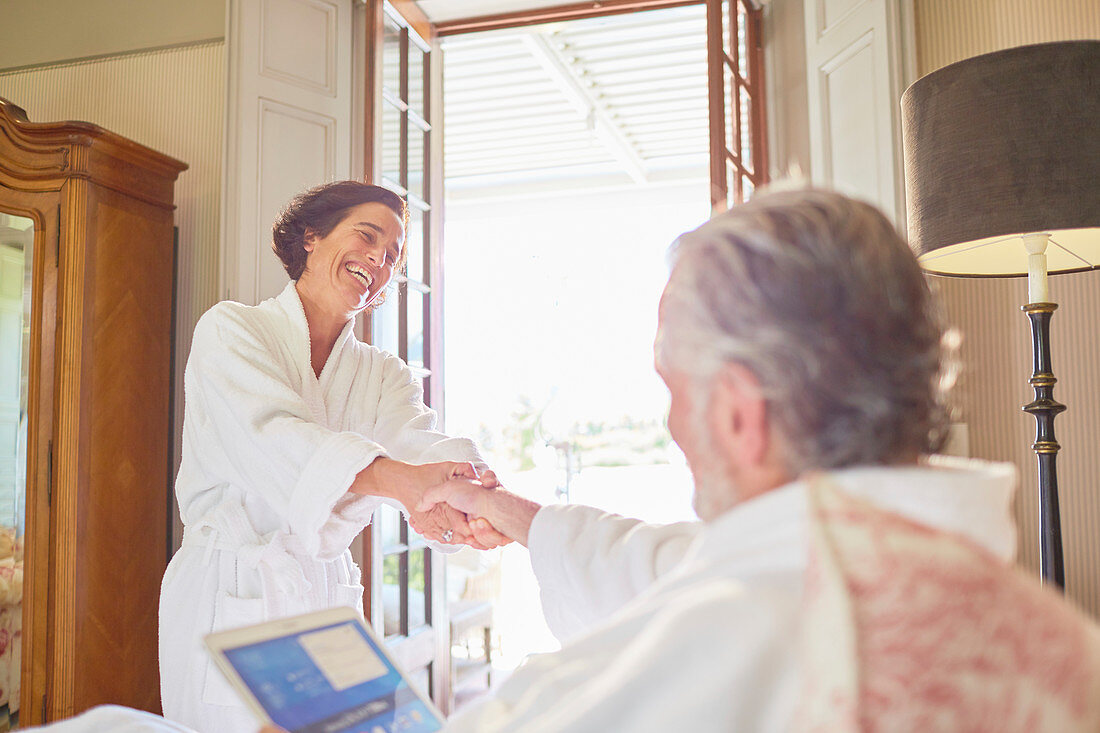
x=403, y=148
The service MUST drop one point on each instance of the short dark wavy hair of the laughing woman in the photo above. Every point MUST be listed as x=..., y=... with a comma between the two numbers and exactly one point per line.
x=318, y=211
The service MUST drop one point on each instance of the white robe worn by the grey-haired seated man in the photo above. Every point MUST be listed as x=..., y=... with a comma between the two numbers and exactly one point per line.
x=697, y=628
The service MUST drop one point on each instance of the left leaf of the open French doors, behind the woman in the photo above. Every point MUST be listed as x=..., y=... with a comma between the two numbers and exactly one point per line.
x=405, y=597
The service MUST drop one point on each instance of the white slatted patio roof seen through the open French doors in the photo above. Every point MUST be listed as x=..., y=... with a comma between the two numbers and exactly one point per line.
x=618, y=99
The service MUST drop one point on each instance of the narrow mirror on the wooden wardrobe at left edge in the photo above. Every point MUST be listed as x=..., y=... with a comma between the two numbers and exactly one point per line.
x=17, y=240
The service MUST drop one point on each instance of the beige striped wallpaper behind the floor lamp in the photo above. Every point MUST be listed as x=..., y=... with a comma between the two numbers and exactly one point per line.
x=996, y=334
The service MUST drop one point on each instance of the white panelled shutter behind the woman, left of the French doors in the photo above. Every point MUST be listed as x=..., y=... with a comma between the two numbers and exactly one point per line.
x=289, y=128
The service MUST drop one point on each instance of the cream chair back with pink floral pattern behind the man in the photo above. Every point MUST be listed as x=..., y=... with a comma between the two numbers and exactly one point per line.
x=912, y=629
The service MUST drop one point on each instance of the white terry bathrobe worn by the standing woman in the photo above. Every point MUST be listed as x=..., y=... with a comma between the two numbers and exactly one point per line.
x=270, y=452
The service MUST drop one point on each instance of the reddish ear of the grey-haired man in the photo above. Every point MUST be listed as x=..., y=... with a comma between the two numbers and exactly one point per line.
x=740, y=415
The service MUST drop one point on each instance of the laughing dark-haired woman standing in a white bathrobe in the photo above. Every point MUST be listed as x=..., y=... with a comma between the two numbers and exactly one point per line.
x=294, y=433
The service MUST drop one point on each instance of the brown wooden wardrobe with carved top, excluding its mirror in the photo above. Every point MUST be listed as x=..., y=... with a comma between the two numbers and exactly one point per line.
x=100, y=411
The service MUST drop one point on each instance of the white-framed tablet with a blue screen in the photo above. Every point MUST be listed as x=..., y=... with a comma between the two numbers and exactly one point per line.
x=322, y=673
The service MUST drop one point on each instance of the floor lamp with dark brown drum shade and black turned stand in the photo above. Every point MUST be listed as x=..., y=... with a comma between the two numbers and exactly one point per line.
x=1003, y=179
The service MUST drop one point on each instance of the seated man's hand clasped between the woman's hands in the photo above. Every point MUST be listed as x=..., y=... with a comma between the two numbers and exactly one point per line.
x=498, y=511
